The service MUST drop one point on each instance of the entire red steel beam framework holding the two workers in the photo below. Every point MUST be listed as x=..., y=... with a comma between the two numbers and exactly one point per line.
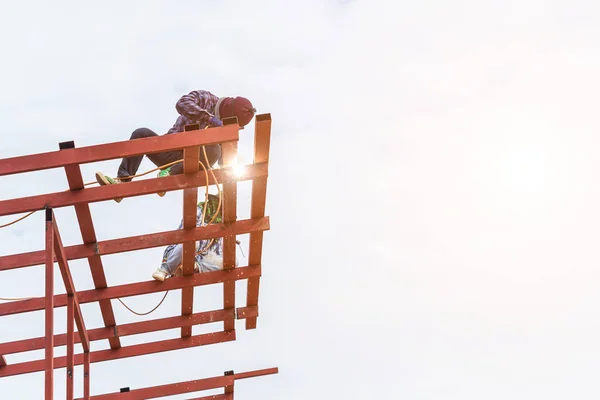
x=70, y=158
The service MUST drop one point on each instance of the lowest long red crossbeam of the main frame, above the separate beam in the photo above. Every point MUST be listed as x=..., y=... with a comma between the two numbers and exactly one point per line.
x=123, y=352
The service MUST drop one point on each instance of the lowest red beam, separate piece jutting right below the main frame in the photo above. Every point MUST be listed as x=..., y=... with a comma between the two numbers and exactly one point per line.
x=172, y=389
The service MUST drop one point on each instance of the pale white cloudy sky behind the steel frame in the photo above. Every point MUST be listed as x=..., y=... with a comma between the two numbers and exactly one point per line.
x=432, y=186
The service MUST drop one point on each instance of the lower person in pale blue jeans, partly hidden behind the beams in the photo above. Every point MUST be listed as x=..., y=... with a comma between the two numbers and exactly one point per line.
x=209, y=252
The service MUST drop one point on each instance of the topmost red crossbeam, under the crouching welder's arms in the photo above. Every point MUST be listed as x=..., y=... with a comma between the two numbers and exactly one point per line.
x=109, y=151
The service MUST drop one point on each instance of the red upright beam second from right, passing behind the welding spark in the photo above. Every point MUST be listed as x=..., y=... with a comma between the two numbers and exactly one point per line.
x=230, y=156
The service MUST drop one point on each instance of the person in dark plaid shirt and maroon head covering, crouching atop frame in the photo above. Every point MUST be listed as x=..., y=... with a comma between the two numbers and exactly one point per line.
x=199, y=106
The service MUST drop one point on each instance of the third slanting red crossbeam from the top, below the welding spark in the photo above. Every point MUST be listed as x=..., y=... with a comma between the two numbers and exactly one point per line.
x=137, y=242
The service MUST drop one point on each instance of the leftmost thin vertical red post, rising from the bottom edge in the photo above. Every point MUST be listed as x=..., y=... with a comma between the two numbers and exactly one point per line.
x=49, y=375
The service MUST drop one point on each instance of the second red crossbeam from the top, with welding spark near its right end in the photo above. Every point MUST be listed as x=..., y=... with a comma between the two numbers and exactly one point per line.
x=128, y=189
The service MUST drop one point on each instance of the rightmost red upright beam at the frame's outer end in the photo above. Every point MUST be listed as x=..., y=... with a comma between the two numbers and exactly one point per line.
x=262, y=140
